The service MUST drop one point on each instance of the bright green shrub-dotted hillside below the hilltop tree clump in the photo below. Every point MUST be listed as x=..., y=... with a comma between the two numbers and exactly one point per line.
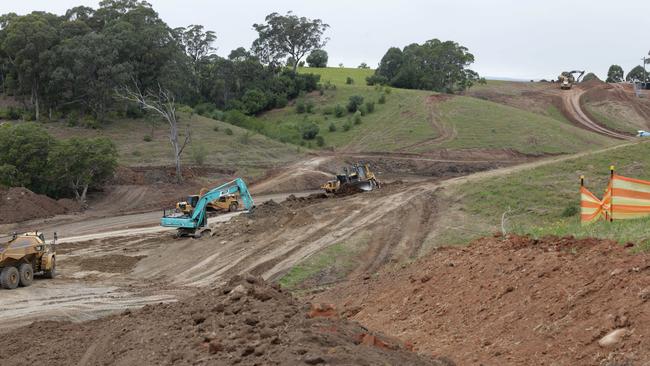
x=414, y=121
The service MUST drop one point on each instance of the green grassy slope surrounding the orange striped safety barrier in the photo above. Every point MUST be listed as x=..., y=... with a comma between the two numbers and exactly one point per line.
x=545, y=200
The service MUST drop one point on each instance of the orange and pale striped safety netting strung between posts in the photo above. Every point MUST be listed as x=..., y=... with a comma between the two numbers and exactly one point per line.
x=624, y=198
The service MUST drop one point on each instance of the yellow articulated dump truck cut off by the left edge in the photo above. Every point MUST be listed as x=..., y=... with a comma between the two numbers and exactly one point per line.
x=23, y=256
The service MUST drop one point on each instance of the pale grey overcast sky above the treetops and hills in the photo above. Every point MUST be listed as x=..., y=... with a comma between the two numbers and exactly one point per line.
x=509, y=38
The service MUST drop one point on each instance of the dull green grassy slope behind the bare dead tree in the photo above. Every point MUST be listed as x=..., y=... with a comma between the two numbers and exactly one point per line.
x=242, y=149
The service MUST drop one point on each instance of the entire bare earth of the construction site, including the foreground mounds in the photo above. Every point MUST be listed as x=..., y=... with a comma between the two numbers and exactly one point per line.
x=114, y=257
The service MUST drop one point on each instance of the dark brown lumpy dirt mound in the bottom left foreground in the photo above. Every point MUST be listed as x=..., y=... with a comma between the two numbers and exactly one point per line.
x=247, y=322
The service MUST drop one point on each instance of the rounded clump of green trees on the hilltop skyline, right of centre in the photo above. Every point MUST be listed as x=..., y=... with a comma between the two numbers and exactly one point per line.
x=433, y=65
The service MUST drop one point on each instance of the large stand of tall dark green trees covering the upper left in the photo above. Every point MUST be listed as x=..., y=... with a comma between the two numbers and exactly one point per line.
x=58, y=64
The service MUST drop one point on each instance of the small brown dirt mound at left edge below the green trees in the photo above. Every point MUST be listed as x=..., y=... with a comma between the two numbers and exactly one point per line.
x=20, y=204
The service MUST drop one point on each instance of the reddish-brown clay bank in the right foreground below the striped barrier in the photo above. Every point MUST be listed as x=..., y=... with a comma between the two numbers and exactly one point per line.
x=513, y=302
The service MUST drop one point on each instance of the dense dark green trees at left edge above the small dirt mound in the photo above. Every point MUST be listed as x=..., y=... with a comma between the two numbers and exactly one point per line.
x=30, y=157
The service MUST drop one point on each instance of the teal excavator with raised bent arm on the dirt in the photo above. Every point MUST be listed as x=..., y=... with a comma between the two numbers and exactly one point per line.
x=192, y=223
